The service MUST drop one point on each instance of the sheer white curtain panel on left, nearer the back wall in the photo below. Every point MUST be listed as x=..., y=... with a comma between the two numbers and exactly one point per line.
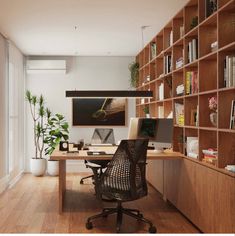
x=16, y=112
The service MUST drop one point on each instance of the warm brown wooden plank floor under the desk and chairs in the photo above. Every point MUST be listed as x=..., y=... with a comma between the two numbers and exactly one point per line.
x=31, y=207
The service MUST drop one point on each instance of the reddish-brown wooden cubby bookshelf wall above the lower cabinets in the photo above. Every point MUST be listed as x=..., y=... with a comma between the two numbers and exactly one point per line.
x=173, y=40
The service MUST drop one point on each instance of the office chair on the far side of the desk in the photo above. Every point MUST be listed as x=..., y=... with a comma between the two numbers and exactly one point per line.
x=100, y=136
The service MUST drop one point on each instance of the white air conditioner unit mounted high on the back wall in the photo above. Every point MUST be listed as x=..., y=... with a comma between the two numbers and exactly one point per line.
x=46, y=66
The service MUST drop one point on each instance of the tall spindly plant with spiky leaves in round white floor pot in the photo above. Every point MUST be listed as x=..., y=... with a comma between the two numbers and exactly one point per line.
x=39, y=115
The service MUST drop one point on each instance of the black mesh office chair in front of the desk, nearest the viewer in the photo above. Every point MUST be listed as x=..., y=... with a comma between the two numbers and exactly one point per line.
x=123, y=180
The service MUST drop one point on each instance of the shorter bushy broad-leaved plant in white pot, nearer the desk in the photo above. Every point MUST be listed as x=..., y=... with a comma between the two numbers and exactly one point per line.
x=57, y=130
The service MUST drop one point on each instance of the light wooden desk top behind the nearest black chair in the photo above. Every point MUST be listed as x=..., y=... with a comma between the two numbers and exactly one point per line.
x=82, y=155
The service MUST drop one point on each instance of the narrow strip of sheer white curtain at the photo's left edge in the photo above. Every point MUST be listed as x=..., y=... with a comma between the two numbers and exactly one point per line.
x=3, y=113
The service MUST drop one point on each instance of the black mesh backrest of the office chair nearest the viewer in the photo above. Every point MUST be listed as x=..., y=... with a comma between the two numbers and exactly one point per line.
x=124, y=178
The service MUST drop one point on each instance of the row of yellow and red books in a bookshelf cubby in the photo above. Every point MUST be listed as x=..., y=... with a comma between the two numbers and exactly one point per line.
x=191, y=82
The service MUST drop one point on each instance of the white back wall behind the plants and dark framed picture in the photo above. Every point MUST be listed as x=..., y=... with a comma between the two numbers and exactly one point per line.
x=84, y=73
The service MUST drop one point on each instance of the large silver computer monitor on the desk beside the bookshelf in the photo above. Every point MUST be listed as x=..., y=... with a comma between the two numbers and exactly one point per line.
x=159, y=131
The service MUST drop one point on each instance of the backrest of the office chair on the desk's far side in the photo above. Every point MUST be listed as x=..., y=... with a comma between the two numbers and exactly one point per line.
x=103, y=136
